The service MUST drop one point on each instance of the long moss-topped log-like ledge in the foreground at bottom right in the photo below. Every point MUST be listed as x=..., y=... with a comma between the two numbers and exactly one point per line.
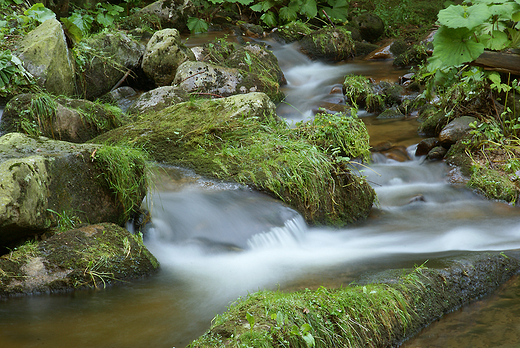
x=380, y=310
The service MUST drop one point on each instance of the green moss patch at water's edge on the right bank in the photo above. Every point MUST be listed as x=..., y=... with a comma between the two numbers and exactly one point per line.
x=493, y=184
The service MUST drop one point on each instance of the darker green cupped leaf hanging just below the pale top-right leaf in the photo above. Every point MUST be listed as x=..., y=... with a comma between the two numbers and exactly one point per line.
x=454, y=47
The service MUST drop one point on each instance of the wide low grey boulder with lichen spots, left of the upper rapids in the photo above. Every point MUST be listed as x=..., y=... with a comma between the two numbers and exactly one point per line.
x=208, y=79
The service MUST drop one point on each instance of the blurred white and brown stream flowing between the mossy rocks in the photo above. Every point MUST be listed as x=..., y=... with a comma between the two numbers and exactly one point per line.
x=219, y=241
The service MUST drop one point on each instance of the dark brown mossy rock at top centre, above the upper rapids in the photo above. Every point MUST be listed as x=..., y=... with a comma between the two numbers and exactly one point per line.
x=329, y=44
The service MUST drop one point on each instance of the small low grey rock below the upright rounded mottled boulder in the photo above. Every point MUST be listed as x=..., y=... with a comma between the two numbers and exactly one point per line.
x=158, y=99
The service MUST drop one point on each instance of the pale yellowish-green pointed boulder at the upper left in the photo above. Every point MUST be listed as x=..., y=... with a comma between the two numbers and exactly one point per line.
x=45, y=55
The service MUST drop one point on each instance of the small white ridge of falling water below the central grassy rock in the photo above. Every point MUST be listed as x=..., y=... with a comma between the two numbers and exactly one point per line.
x=290, y=234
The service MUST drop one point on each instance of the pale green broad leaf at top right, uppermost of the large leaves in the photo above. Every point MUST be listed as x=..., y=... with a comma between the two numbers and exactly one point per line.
x=464, y=17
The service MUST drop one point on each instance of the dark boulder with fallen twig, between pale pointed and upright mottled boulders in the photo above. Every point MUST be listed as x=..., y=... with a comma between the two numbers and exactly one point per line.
x=108, y=56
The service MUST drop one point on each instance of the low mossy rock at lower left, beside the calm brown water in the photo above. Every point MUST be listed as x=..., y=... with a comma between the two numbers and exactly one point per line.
x=90, y=256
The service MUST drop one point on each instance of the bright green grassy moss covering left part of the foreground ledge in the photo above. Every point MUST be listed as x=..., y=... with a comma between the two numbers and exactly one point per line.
x=359, y=316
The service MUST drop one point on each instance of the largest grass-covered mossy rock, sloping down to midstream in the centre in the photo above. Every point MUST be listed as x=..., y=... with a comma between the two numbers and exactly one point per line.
x=240, y=139
